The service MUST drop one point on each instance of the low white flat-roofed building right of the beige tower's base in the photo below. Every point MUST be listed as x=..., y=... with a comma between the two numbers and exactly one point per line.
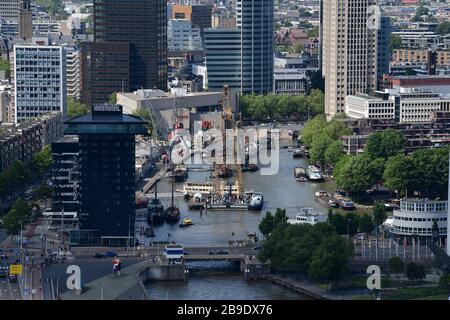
x=405, y=107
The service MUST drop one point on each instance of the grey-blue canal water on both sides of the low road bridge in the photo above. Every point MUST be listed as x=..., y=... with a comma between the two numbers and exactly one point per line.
x=220, y=281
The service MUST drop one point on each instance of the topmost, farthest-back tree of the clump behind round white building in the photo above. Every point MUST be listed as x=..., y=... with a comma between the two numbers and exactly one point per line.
x=385, y=144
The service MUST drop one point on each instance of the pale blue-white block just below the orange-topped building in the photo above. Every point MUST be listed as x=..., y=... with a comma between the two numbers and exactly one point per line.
x=181, y=36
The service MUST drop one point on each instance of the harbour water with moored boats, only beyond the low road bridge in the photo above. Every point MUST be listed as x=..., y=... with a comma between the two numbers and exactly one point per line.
x=218, y=227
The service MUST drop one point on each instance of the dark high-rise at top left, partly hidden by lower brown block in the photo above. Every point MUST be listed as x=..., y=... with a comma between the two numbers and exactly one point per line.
x=142, y=24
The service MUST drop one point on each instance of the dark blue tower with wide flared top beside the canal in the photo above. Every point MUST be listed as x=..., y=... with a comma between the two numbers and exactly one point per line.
x=106, y=175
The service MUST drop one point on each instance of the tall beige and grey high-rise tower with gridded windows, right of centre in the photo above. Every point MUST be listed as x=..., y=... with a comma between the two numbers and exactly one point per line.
x=349, y=52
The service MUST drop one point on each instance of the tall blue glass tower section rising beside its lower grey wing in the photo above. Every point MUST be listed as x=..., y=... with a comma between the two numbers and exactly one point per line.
x=255, y=20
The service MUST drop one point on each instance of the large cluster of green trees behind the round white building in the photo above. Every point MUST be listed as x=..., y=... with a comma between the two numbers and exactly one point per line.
x=423, y=172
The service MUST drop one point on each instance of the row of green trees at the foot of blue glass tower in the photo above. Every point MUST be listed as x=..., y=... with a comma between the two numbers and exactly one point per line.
x=269, y=107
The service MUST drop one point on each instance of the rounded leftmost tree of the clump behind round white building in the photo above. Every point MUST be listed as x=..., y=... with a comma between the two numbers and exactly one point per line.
x=359, y=173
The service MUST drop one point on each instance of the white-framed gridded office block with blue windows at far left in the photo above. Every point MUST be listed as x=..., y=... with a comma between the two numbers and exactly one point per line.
x=39, y=80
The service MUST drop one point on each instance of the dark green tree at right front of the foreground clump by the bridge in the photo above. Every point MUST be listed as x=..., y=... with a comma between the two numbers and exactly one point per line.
x=330, y=260
